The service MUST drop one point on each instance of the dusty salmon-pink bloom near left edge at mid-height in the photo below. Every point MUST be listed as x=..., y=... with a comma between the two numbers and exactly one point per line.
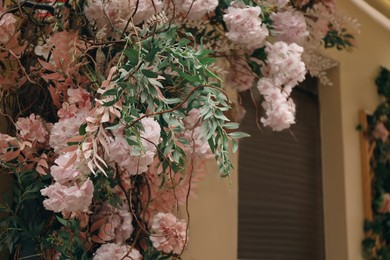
x=32, y=128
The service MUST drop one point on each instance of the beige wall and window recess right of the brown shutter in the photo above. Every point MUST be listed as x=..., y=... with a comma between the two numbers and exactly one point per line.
x=354, y=89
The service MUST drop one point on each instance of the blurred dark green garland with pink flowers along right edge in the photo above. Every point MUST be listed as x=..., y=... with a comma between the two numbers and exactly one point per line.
x=376, y=243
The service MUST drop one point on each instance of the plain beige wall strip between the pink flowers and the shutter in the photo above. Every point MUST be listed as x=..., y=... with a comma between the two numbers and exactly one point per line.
x=213, y=223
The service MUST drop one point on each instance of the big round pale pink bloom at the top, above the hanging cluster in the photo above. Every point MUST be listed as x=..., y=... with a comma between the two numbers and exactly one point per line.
x=245, y=27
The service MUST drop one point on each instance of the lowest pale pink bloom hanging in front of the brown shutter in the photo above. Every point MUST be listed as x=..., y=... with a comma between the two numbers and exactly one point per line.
x=279, y=109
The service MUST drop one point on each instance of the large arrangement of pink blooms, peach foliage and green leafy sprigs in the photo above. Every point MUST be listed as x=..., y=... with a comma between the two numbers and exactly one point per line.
x=113, y=106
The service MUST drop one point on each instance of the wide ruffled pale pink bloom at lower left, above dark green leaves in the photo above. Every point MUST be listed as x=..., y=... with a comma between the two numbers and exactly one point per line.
x=68, y=198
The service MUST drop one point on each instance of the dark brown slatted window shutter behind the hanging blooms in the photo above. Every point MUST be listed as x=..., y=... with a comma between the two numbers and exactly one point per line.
x=280, y=188
